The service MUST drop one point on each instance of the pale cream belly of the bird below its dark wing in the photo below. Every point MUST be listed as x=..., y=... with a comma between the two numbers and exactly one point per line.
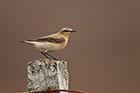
x=48, y=46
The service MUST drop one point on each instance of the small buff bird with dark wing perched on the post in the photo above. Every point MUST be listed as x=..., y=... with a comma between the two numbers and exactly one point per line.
x=51, y=43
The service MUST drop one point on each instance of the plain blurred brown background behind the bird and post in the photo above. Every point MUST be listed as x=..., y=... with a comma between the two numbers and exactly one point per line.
x=103, y=55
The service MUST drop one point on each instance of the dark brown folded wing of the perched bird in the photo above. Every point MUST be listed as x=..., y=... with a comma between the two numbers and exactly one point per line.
x=51, y=40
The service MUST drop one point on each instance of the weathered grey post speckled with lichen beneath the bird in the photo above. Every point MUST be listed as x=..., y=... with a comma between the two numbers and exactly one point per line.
x=44, y=73
